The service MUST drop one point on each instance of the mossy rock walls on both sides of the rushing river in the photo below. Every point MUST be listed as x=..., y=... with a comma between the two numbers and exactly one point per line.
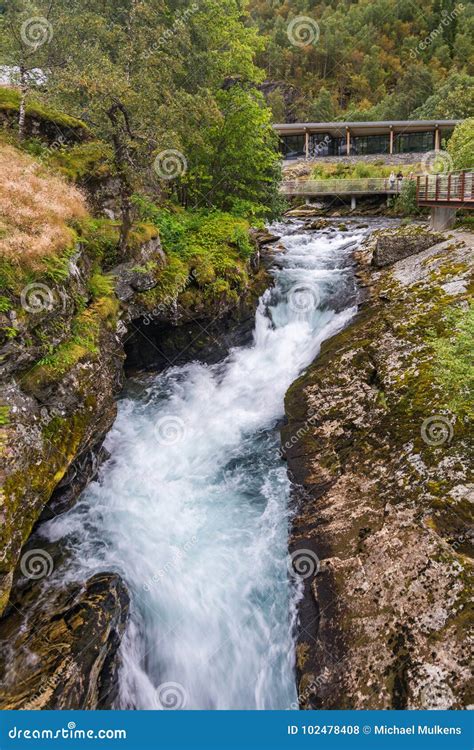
x=377, y=453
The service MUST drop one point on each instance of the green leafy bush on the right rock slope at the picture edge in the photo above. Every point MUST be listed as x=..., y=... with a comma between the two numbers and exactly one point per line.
x=454, y=363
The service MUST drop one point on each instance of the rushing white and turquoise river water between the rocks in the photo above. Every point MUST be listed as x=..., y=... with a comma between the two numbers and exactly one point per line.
x=192, y=508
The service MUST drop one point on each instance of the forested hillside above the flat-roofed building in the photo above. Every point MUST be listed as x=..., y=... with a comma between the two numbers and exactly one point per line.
x=373, y=59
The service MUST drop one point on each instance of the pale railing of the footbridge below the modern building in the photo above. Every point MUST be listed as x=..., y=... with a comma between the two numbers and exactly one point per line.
x=340, y=187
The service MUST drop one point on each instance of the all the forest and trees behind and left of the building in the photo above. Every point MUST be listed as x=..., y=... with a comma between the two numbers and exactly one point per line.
x=178, y=98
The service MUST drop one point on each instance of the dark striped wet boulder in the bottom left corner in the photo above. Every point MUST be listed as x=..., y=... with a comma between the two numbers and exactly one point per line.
x=63, y=652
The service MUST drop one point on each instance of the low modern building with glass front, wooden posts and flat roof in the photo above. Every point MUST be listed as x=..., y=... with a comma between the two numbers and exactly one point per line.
x=319, y=139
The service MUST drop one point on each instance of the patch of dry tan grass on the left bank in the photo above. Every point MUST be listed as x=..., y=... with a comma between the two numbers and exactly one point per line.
x=35, y=208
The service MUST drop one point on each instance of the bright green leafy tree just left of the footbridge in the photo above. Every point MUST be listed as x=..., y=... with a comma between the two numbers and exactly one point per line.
x=231, y=153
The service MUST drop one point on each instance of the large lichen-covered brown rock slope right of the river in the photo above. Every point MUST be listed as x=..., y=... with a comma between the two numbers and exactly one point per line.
x=383, y=498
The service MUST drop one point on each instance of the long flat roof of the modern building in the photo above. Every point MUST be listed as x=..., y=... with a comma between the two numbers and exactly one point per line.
x=364, y=128
